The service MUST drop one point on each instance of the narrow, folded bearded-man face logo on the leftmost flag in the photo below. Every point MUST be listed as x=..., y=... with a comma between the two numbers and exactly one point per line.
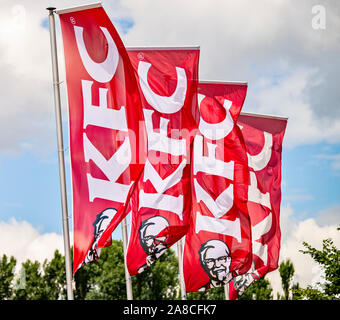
x=102, y=221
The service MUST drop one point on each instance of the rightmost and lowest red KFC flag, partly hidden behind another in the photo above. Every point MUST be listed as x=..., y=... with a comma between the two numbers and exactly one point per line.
x=263, y=137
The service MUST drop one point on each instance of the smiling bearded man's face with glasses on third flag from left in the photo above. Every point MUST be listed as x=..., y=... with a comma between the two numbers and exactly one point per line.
x=215, y=260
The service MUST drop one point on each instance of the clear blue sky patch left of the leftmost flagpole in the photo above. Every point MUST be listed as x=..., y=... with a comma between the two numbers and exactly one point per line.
x=31, y=191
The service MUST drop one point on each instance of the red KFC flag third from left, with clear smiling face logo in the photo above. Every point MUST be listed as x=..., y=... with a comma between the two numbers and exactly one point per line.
x=218, y=243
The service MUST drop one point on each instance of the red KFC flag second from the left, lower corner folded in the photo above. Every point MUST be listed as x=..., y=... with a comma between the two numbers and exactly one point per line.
x=162, y=200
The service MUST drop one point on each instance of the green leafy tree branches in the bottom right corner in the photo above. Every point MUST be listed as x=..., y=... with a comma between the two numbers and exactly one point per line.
x=329, y=260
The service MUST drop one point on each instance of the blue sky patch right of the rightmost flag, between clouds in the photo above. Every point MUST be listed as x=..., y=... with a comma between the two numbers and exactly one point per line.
x=311, y=184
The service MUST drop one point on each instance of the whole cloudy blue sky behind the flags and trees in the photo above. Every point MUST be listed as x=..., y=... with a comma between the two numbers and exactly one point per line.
x=291, y=67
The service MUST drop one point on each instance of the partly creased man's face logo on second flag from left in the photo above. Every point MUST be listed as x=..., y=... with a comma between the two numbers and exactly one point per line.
x=148, y=231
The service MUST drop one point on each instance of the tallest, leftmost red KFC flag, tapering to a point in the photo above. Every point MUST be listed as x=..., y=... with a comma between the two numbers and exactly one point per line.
x=105, y=141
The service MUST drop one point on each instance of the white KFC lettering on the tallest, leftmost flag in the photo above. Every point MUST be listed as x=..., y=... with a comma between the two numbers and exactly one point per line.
x=102, y=116
